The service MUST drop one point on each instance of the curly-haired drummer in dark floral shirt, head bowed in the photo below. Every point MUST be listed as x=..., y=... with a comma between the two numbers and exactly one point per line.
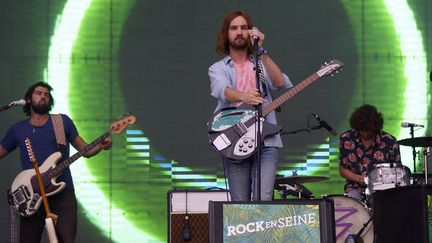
x=363, y=146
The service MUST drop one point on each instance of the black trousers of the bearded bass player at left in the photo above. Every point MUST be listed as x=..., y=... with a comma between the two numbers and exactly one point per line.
x=64, y=205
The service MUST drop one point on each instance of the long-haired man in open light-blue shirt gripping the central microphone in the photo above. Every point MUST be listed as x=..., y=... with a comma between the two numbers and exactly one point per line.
x=233, y=82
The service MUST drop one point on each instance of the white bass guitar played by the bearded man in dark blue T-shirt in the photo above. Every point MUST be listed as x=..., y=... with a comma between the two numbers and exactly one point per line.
x=24, y=194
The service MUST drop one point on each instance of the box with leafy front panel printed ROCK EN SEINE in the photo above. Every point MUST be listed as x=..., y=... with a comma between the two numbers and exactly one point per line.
x=294, y=221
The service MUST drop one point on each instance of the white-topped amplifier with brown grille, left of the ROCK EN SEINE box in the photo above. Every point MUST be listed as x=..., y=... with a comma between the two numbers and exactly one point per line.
x=188, y=214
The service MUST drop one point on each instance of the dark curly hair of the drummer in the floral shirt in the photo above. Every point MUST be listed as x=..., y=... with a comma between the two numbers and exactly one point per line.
x=367, y=118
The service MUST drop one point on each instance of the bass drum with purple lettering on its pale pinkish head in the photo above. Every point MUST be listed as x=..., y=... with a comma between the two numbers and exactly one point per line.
x=350, y=217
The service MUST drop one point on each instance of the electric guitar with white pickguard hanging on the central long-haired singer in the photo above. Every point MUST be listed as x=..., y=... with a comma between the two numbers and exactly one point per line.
x=232, y=130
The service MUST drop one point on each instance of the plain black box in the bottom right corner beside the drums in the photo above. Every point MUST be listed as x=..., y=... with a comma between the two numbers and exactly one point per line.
x=401, y=214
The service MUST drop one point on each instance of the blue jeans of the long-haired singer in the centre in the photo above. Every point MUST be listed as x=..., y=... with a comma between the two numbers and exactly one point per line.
x=241, y=176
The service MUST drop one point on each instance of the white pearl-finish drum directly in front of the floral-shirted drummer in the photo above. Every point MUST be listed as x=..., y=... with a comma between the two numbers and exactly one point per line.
x=384, y=176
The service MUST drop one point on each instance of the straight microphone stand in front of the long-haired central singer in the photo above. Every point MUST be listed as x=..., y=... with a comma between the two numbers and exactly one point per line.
x=258, y=116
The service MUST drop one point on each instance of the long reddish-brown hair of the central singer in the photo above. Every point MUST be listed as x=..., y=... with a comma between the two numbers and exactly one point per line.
x=222, y=45
